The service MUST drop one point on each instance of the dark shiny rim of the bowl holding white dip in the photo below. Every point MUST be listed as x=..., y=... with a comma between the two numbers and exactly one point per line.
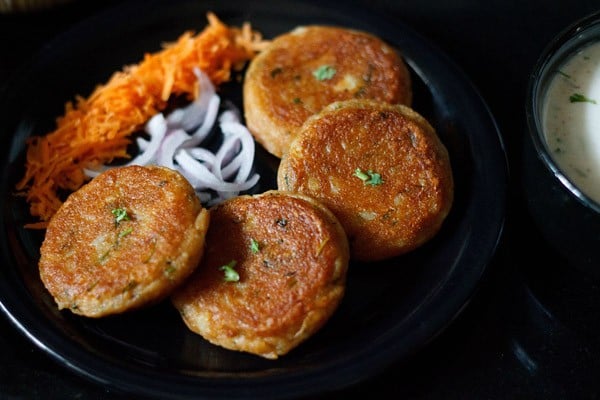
x=565, y=43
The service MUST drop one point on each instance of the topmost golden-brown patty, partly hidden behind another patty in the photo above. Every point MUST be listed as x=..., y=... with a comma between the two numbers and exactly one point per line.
x=302, y=71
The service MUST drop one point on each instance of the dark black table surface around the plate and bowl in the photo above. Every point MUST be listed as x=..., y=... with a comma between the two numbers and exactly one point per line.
x=531, y=331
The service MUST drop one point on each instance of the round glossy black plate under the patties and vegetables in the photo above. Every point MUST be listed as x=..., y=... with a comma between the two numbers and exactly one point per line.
x=391, y=310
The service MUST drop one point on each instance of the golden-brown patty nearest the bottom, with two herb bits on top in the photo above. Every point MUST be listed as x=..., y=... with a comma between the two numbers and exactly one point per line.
x=273, y=273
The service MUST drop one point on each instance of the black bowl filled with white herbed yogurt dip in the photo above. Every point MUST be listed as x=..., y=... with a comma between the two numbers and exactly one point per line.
x=562, y=162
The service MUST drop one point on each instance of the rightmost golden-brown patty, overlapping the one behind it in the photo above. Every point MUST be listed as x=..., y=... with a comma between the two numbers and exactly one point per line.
x=380, y=168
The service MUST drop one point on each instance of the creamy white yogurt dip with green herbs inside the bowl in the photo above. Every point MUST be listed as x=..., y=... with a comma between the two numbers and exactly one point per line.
x=571, y=119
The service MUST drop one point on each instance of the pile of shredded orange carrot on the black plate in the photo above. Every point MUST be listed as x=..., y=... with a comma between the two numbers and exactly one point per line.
x=97, y=130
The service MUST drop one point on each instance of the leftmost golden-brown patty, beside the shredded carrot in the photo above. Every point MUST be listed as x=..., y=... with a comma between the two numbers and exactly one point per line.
x=125, y=239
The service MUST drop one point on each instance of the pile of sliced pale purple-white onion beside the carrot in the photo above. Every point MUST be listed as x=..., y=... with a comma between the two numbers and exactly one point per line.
x=176, y=142
